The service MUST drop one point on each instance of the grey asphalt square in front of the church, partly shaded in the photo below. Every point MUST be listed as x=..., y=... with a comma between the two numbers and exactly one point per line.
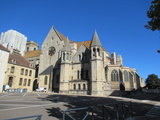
x=51, y=106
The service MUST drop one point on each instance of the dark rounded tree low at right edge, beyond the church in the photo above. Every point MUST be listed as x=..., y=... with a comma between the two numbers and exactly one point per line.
x=153, y=81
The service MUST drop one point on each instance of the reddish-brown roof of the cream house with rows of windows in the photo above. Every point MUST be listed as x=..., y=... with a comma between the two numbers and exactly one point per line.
x=19, y=60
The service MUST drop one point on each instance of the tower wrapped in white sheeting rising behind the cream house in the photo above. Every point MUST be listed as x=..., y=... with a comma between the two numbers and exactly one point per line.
x=12, y=39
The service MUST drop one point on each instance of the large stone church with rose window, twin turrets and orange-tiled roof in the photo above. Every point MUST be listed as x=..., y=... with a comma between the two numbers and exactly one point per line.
x=85, y=67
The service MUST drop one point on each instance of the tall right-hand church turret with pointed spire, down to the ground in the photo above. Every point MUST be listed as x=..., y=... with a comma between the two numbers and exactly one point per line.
x=97, y=69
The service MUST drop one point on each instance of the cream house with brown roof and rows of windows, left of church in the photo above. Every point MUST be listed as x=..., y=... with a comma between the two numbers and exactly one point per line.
x=20, y=72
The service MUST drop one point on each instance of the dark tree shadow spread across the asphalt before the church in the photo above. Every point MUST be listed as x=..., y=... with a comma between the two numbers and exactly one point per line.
x=72, y=102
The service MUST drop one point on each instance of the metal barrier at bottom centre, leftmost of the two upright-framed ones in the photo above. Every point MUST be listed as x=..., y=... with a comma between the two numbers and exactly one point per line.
x=88, y=111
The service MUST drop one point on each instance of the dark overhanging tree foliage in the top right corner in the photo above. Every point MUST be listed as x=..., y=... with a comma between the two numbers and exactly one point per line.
x=154, y=14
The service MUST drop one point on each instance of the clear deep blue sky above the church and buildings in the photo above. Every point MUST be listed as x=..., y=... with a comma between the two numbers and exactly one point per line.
x=119, y=24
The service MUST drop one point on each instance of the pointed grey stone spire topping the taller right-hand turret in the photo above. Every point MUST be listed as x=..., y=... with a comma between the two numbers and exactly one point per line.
x=95, y=40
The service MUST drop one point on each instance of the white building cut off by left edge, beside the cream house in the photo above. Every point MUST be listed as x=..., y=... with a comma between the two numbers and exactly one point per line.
x=4, y=55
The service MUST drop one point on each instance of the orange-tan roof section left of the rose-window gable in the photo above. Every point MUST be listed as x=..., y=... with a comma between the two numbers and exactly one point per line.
x=31, y=54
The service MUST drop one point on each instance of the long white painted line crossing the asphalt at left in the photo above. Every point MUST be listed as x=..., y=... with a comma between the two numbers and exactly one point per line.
x=31, y=106
